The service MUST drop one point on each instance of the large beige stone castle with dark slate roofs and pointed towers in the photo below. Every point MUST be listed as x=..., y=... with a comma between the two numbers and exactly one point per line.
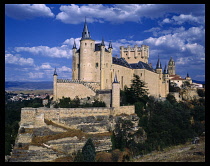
x=94, y=69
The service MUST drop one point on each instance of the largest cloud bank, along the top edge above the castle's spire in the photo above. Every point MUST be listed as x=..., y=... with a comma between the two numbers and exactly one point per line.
x=120, y=13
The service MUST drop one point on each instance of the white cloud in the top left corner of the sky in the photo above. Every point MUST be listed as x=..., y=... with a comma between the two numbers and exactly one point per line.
x=27, y=11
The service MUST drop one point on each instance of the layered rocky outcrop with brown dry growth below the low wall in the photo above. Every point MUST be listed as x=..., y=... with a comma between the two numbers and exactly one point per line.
x=48, y=140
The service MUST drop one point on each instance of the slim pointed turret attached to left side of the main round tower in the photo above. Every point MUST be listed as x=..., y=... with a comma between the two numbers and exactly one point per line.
x=75, y=63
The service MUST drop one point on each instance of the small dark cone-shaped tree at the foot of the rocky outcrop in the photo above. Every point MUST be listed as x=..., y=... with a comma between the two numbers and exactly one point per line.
x=88, y=151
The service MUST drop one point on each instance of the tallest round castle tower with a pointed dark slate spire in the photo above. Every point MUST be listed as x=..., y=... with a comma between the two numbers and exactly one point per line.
x=86, y=59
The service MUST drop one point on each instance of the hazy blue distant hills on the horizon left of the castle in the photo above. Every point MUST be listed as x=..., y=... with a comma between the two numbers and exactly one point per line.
x=15, y=85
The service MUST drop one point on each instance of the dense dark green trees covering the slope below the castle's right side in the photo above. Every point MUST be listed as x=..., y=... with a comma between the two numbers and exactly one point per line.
x=166, y=122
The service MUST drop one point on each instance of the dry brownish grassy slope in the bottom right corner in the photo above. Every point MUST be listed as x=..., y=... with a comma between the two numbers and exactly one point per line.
x=181, y=153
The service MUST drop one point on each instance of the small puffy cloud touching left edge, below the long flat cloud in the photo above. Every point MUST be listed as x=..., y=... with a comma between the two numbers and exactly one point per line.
x=18, y=60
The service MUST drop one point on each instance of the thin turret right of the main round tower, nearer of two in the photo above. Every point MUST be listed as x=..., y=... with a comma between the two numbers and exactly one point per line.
x=102, y=63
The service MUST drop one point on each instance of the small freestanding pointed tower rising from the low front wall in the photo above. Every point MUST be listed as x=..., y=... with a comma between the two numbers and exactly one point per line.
x=115, y=93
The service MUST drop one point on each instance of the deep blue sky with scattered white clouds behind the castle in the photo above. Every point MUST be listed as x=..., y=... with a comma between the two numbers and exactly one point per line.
x=39, y=37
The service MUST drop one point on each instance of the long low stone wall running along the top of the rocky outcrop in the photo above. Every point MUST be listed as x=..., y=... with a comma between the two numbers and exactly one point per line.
x=36, y=116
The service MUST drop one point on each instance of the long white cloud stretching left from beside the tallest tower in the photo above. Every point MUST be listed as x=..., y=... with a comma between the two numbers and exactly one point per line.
x=55, y=52
